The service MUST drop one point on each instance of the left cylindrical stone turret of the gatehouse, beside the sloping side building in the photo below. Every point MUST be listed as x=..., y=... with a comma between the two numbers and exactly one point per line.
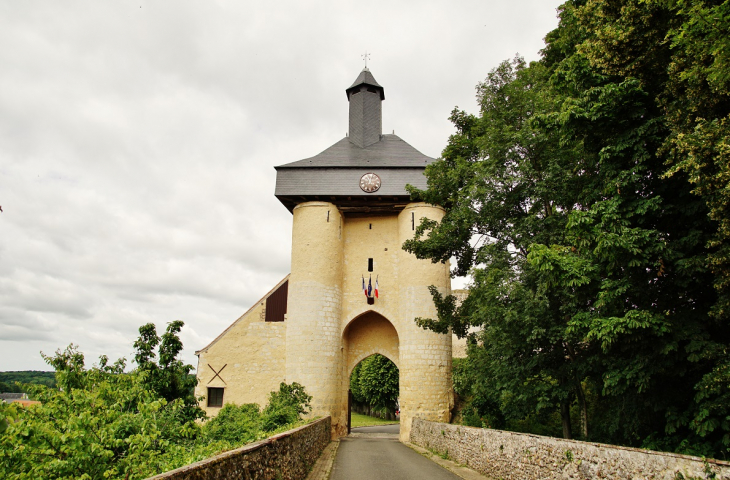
x=313, y=341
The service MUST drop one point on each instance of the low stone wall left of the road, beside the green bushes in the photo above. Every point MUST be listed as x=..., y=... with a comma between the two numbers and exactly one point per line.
x=288, y=455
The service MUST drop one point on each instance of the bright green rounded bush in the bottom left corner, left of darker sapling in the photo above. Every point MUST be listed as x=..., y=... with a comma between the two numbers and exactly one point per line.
x=101, y=424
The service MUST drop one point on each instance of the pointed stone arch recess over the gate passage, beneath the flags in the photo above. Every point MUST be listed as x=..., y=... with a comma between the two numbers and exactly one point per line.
x=366, y=335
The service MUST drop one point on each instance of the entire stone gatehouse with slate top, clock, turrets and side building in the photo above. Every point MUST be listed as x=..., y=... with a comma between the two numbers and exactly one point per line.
x=351, y=214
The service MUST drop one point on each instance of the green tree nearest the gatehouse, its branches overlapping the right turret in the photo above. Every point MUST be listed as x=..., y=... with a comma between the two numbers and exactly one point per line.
x=506, y=184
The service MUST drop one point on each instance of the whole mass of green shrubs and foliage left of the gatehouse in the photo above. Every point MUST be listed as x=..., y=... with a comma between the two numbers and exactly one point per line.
x=104, y=423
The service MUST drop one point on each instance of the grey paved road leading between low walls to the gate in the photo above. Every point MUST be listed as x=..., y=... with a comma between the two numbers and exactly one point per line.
x=374, y=453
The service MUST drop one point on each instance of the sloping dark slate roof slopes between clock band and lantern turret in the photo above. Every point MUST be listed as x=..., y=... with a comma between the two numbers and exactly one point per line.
x=390, y=152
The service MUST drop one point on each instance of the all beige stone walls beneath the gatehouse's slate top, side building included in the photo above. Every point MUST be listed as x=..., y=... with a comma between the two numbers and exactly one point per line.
x=330, y=327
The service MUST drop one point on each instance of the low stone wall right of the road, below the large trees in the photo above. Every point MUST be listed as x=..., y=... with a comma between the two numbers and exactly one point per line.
x=518, y=456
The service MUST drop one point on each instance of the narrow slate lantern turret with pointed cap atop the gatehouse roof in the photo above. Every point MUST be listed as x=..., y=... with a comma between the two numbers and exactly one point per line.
x=366, y=114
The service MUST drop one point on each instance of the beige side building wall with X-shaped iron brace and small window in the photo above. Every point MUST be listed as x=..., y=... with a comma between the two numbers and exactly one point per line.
x=253, y=352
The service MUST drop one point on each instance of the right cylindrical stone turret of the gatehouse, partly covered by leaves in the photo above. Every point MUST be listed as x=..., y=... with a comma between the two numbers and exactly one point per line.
x=425, y=357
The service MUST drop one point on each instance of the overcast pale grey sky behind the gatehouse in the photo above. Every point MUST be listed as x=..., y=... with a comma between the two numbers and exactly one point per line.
x=138, y=140
